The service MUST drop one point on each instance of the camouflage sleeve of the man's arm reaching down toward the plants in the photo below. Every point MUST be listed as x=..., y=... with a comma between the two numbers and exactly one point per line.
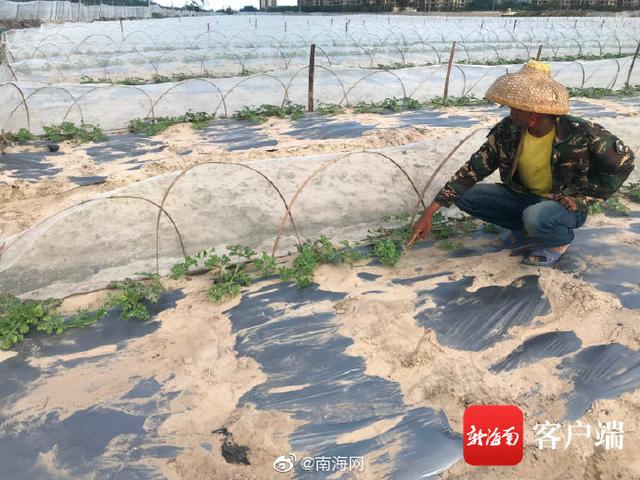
x=482, y=164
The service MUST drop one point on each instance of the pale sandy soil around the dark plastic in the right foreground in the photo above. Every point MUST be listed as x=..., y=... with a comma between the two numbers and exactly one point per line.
x=433, y=375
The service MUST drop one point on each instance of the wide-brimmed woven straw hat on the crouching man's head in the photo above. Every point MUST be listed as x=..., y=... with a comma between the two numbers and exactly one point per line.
x=532, y=89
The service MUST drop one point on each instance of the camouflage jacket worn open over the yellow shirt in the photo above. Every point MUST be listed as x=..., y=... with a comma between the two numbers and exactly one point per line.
x=587, y=162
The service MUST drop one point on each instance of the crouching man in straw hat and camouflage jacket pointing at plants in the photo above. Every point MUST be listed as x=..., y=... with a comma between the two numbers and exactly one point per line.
x=552, y=167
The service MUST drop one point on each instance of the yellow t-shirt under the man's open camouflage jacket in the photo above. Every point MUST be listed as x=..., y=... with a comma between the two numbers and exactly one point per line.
x=534, y=163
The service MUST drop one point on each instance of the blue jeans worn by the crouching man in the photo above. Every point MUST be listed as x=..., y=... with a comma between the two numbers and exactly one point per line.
x=545, y=220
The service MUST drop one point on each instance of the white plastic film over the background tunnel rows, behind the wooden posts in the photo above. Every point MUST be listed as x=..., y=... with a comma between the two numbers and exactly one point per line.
x=62, y=72
